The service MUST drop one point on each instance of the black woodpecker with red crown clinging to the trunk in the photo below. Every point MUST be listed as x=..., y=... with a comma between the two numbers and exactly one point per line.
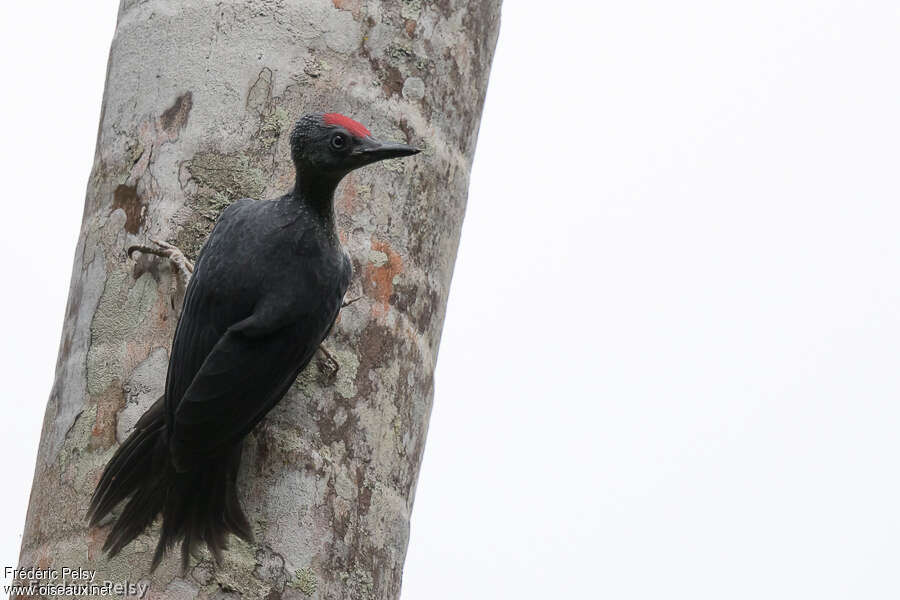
x=265, y=292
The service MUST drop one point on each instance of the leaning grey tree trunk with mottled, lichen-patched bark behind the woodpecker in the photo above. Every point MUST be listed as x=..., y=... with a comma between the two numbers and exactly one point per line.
x=199, y=102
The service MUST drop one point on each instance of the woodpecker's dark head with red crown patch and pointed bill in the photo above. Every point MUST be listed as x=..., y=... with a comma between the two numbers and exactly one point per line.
x=331, y=145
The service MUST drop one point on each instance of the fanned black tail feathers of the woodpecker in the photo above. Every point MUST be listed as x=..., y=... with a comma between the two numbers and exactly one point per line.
x=196, y=506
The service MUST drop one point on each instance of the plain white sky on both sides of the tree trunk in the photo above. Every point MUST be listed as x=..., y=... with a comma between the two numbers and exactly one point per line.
x=670, y=361
